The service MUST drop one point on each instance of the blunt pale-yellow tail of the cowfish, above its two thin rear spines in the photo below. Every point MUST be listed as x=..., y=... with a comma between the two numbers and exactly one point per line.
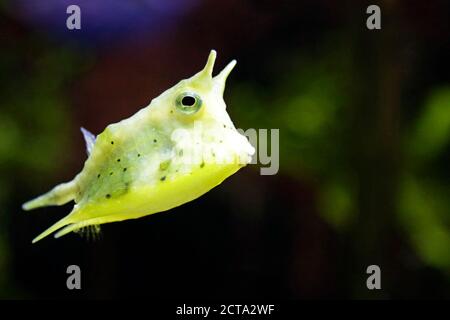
x=59, y=195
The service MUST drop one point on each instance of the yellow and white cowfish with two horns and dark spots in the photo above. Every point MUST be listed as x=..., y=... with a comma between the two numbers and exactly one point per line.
x=171, y=152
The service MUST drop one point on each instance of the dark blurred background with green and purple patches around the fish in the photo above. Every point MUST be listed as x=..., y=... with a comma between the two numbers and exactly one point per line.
x=364, y=120
